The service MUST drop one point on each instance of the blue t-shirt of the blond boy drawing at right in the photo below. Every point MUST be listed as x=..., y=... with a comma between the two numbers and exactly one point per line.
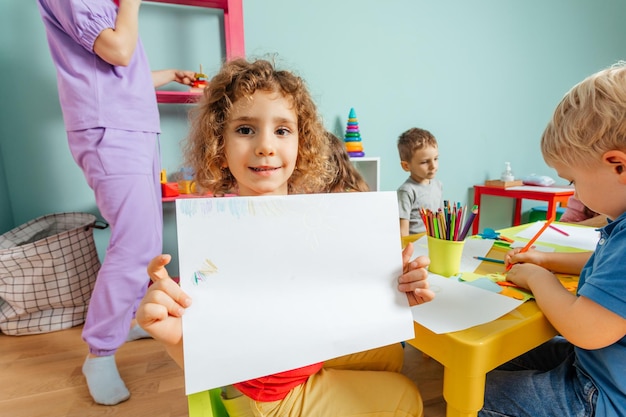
x=603, y=280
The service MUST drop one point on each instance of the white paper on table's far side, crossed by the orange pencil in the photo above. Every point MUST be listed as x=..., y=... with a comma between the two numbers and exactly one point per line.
x=580, y=237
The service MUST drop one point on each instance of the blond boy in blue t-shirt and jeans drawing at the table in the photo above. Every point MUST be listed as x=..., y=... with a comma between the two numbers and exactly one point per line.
x=583, y=371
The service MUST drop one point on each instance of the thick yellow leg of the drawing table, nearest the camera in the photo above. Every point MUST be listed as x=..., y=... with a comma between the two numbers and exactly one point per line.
x=464, y=395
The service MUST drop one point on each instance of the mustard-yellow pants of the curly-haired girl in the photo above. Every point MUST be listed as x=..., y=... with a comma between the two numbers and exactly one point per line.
x=362, y=384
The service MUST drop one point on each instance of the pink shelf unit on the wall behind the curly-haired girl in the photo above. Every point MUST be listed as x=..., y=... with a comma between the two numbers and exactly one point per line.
x=233, y=37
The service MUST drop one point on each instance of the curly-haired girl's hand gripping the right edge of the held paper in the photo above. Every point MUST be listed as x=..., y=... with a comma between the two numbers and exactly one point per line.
x=414, y=280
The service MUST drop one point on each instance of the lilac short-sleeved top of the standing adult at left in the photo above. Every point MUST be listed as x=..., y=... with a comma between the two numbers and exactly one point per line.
x=92, y=92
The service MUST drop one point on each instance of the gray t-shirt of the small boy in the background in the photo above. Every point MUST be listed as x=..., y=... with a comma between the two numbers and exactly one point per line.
x=412, y=196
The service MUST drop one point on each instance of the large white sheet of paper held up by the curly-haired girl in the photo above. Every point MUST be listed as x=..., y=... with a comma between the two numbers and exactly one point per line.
x=297, y=280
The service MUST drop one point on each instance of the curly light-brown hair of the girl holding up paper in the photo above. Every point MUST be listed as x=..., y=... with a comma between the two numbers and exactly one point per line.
x=239, y=80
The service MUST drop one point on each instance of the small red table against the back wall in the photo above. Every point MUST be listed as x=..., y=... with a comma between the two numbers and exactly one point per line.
x=553, y=195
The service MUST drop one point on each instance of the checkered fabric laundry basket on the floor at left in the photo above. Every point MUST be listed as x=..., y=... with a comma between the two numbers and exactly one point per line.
x=48, y=268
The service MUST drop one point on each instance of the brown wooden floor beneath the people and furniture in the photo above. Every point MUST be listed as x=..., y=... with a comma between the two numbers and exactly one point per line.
x=41, y=377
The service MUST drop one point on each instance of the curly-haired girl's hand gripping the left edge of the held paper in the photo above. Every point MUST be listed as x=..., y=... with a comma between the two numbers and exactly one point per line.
x=160, y=312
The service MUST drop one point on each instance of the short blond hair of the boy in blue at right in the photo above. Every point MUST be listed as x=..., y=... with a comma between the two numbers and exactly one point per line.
x=589, y=121
